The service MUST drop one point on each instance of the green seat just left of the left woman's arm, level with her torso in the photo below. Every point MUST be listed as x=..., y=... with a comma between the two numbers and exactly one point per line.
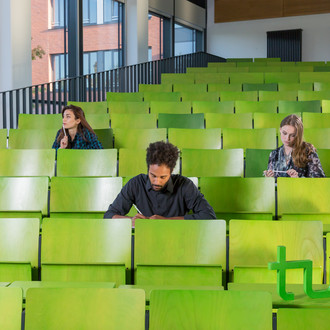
x=32, y=138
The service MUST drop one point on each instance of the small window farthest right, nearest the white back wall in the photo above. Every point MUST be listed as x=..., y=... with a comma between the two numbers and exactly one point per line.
x=184, y=40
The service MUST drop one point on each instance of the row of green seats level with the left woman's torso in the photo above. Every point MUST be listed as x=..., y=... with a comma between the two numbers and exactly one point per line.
x=209, y=138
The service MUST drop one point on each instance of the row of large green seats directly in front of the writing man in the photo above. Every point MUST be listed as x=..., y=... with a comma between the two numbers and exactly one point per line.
x=95, y=250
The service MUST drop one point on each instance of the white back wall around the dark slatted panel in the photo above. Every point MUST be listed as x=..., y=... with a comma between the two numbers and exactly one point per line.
x=249, y=38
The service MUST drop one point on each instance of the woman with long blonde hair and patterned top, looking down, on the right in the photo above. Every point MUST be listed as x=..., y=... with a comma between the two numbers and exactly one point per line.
x=295, y=158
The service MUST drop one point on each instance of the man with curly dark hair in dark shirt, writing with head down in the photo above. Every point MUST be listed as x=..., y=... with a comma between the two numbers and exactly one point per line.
x=161, y=194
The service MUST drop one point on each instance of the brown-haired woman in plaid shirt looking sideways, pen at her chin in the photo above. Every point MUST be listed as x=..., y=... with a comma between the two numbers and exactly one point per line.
x=76, y=133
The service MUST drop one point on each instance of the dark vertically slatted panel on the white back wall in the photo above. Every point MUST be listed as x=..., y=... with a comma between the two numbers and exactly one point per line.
x=286, y=44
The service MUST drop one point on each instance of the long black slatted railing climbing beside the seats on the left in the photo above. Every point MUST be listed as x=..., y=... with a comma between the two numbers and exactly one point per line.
x=50, y=97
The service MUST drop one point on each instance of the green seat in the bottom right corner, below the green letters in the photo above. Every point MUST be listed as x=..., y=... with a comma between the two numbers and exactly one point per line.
x=302, y=318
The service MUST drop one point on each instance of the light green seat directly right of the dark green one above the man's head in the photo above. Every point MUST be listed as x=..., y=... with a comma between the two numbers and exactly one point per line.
x=228, y=120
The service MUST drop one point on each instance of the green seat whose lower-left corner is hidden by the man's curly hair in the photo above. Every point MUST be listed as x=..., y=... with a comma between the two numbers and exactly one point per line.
x=195, y=138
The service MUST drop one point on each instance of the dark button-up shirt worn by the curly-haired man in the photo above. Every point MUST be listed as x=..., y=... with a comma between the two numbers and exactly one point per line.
x=176, y=199
